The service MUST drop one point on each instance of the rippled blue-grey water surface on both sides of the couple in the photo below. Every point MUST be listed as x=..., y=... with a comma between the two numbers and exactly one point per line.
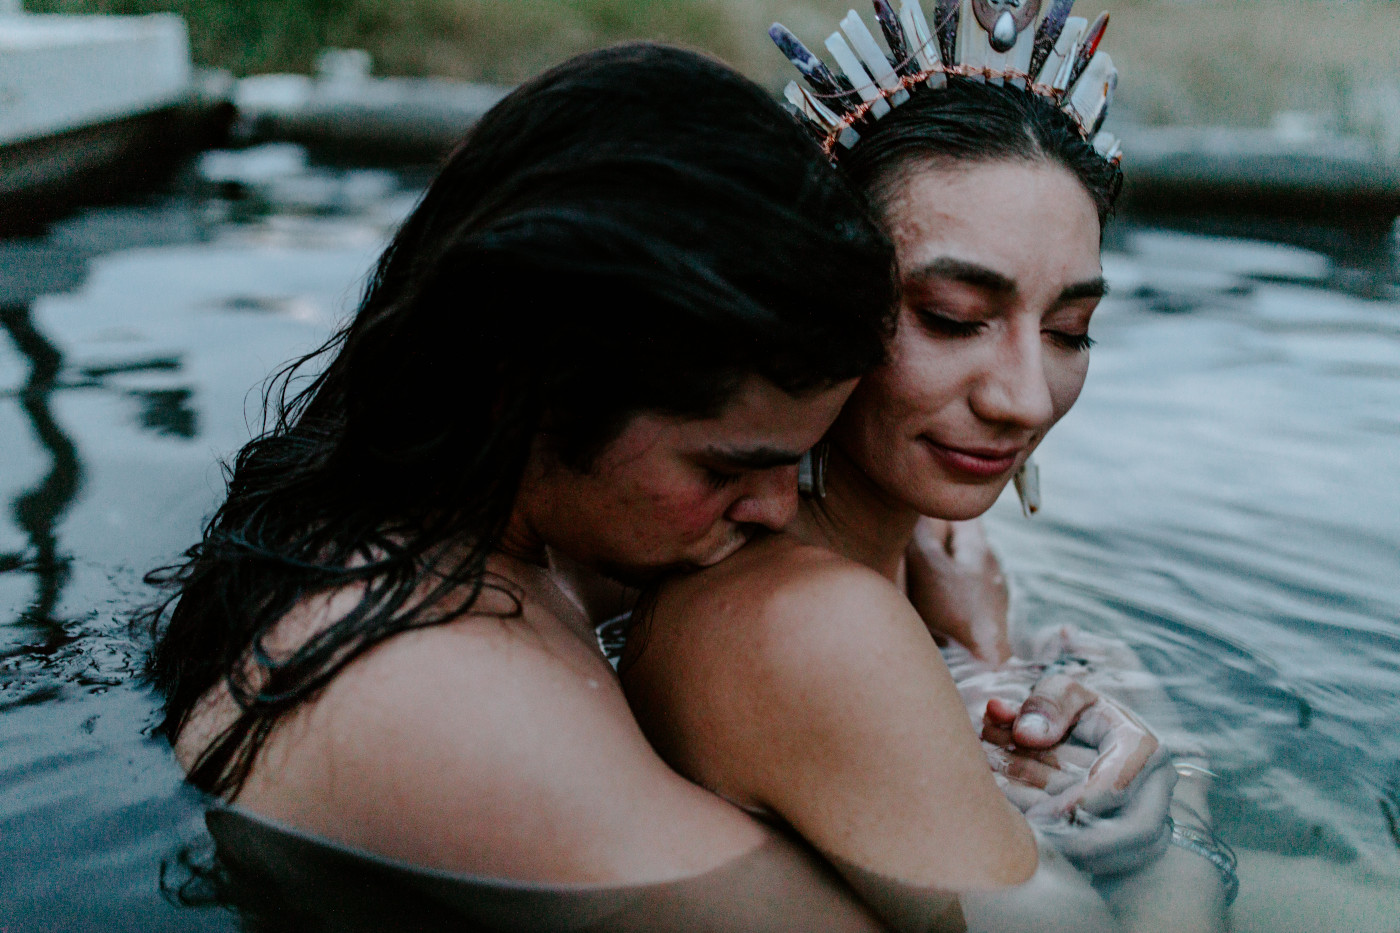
x=1226, y=497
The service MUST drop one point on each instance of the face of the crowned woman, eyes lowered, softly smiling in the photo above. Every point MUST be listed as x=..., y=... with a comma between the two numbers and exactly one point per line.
x=1000, y=274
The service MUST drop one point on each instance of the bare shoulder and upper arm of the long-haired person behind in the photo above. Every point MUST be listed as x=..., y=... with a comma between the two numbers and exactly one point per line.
x=492, y=746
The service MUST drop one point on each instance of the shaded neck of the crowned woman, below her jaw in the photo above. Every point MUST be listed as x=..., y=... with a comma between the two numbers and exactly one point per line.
x=857, y=519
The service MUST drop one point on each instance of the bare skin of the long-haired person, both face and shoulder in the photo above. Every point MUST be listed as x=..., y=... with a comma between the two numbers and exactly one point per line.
x=502, y=745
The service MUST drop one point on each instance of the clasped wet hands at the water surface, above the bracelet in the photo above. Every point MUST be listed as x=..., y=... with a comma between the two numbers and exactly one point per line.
x=1088, y=774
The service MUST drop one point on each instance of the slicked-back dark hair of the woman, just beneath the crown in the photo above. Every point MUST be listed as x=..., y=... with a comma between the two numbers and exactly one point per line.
x=975, y=123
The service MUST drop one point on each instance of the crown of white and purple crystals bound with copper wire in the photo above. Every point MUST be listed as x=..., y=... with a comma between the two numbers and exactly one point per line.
x=881, y=89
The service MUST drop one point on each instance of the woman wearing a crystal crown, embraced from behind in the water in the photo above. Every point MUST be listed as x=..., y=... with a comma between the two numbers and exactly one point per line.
x=796, y=679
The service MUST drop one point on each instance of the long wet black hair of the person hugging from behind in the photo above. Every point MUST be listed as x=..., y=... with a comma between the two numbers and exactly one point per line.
x=640, y=229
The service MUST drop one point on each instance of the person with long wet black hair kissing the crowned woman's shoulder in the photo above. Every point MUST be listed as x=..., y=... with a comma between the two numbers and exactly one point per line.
x=631, y=302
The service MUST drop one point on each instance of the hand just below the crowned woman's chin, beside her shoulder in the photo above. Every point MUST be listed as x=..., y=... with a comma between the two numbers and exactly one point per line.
x=958, y=589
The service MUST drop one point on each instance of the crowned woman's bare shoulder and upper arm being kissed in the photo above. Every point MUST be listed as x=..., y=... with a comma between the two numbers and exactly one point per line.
x=794, y=680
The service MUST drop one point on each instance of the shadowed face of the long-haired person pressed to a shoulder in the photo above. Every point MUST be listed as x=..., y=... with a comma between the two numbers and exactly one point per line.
x=682, y=494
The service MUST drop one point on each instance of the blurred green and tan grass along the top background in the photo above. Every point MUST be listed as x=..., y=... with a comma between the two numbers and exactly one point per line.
x=1181, y=61
